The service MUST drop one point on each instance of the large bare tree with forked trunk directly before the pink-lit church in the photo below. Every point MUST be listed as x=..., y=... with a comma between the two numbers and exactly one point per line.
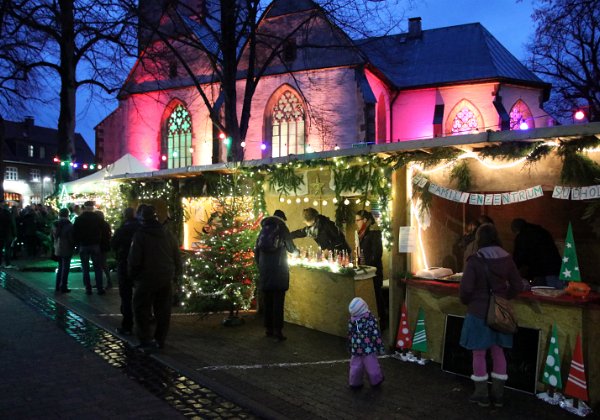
x=222, y=42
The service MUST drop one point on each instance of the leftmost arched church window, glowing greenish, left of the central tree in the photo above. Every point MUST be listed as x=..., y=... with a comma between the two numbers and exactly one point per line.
x=179, y=138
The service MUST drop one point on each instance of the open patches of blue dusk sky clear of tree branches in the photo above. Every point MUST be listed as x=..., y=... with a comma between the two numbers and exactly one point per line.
x=508, y=20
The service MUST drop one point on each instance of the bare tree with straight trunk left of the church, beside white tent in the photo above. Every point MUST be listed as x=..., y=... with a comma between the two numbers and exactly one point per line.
x=83, y=42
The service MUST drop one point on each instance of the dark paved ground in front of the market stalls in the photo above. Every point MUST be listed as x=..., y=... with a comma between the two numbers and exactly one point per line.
x=303, y=377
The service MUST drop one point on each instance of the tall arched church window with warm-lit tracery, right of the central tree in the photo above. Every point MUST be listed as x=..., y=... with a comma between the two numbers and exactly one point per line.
x=288, y=136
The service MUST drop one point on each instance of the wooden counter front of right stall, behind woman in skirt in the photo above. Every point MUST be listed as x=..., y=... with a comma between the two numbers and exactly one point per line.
x=572, y=316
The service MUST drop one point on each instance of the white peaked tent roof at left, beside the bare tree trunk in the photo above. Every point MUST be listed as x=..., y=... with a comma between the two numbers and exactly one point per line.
x=93, y=183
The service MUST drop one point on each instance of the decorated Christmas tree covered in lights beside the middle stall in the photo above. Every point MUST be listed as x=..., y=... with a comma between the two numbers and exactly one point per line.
x=221, y=274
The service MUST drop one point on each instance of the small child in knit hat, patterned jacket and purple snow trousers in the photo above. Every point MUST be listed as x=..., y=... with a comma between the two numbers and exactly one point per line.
x=365, y=343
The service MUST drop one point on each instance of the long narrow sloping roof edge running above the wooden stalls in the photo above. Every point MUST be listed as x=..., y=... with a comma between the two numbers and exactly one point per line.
x=467, y=142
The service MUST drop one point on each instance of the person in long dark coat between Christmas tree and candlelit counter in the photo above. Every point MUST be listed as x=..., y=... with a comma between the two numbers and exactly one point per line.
x=274, y=274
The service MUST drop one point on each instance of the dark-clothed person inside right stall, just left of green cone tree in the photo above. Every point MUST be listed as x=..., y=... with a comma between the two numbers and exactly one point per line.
x=536, y=254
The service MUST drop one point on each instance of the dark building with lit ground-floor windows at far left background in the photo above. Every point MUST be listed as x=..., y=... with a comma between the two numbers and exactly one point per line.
x=29, y=161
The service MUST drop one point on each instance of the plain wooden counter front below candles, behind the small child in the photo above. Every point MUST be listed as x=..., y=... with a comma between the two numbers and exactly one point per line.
x=319, y=299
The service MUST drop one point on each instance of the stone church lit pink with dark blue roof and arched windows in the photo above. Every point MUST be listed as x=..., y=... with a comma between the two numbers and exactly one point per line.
x=417, y=85
